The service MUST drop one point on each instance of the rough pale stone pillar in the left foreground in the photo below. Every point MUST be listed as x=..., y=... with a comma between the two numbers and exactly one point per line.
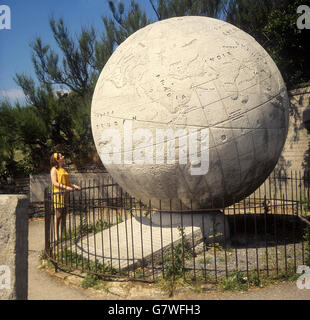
x=13, y=247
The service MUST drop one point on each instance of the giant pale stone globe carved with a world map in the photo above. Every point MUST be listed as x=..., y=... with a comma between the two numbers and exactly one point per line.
x=190, y=73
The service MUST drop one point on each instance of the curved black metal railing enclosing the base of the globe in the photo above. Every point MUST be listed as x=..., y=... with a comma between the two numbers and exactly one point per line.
x=104, y=231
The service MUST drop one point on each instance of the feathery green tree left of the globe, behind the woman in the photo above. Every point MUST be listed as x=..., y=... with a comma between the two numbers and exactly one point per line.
x=53, y=121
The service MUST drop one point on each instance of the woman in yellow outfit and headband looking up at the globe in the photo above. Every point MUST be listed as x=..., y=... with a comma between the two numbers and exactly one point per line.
x=61, y=184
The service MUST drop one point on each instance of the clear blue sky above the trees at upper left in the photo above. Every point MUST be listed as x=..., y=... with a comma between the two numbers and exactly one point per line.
x=30, y=19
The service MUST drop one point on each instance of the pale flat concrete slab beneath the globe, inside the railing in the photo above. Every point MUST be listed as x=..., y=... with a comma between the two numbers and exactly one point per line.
x=134, y=242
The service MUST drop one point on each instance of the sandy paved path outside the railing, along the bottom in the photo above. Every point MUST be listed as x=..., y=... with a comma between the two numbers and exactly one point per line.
x=43, y=286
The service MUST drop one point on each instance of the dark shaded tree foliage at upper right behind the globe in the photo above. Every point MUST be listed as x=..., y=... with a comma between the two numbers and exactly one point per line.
x=273, y=24
